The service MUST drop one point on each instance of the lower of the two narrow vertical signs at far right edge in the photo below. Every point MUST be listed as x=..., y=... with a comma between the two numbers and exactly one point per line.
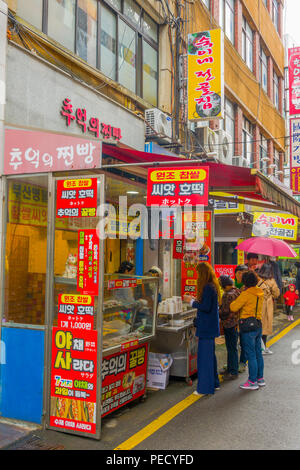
x=295, y=154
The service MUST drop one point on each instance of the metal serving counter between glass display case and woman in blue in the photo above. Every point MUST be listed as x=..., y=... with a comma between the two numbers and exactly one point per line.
x=175, y=335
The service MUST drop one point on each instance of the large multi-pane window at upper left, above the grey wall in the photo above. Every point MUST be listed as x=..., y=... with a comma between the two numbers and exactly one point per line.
x=128, y=48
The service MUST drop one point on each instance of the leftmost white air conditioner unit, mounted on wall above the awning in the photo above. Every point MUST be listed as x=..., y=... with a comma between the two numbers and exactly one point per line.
x=158, y=125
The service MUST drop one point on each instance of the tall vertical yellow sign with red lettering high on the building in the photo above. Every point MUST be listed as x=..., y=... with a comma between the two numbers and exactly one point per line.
x=206, y=75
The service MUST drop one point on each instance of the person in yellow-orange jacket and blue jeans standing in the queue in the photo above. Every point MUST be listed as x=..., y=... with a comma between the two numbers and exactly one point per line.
x=250, y=303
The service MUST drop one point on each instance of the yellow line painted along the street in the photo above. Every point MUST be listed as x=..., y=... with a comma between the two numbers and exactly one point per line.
x=166, y=417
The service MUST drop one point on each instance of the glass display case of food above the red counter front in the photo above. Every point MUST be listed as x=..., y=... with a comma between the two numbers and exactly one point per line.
x=129, y=310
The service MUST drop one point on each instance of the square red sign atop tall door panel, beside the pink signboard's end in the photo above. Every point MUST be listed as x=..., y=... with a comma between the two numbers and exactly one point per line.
x=76, y=198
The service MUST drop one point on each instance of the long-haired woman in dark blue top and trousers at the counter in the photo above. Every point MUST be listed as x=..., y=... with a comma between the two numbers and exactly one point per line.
x=207, y=328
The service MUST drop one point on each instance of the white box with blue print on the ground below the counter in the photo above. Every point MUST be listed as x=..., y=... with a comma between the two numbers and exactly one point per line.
x=158, y=370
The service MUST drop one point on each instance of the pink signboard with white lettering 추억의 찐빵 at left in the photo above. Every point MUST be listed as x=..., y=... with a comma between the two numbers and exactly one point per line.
x=39, y=152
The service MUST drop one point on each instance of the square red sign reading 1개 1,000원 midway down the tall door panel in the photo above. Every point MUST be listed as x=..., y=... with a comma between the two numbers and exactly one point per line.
x=75, y=311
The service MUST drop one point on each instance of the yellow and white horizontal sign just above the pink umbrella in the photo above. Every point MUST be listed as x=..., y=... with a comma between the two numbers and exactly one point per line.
x=274, y=225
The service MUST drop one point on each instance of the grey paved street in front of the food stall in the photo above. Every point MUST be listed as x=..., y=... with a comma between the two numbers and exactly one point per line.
x=231, y=419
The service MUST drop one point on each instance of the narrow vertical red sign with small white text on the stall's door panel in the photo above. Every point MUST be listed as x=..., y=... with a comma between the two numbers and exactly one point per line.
x=88, y=262
